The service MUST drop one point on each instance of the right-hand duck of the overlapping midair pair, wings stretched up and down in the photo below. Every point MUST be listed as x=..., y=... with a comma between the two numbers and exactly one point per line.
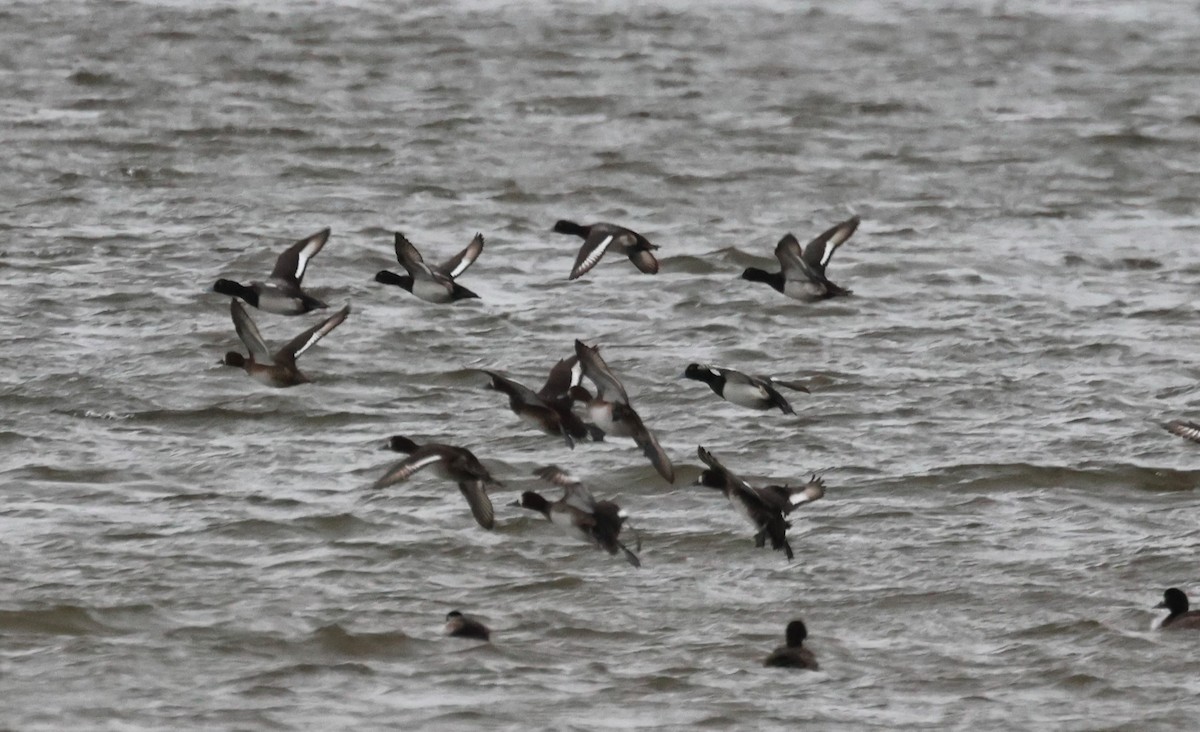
x=611, y=411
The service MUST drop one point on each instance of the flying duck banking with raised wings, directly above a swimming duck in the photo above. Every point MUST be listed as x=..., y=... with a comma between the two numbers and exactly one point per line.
x=764, y=508
